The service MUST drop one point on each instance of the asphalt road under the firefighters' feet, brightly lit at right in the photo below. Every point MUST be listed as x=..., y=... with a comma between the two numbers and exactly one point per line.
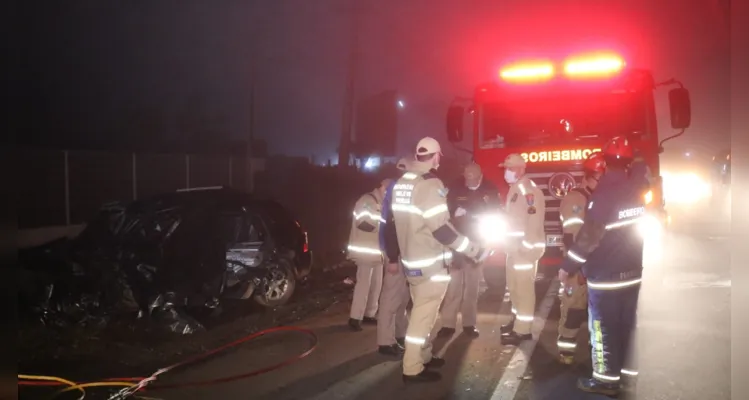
x=683, y=346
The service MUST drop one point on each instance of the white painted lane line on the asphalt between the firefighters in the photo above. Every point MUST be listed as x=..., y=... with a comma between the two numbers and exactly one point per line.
x=511, y=378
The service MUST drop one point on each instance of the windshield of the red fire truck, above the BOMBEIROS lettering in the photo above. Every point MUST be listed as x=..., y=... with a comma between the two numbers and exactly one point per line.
x=562, y=120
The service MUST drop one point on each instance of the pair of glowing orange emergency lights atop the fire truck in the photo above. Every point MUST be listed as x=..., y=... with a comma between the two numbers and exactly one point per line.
x=586, y=66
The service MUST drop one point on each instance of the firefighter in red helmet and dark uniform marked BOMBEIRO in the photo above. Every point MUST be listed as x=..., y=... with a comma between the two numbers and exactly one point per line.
x=609, y=250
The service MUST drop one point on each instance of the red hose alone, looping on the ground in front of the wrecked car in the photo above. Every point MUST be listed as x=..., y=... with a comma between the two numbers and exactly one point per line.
x=208, y=354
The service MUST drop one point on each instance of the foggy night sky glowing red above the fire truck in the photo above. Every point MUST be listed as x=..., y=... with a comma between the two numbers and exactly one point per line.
x=87, y=62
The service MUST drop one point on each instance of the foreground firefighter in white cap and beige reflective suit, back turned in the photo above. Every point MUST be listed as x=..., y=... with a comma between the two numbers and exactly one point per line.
x=425, y=237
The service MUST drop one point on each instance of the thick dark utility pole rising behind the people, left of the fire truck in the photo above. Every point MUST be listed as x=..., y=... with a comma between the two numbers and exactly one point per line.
x=347, y=119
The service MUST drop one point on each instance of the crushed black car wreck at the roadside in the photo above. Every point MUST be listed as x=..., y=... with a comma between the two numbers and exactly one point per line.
x=164, y=256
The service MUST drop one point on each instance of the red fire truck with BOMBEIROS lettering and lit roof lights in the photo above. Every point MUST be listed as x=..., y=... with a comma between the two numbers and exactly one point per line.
x=554, y=113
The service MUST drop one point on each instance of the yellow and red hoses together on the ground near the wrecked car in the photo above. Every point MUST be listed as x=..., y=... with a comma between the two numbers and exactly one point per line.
x=132, y=385
